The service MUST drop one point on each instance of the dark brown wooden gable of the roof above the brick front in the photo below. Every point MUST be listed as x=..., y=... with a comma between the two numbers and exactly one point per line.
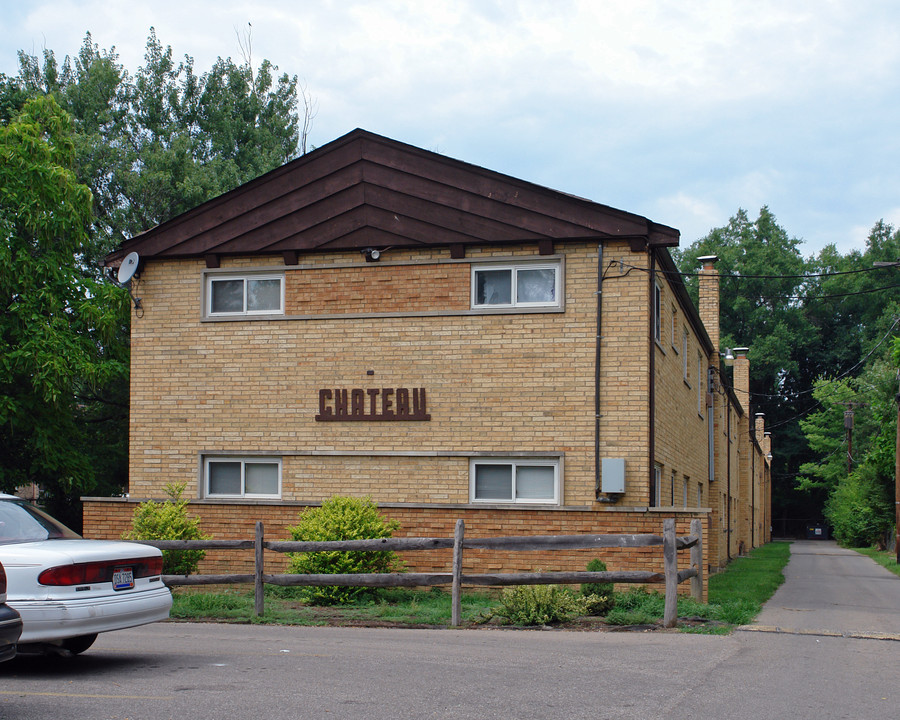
x=363, y=190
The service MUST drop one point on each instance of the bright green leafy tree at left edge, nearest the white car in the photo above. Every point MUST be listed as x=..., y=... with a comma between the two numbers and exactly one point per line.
x=59, y=328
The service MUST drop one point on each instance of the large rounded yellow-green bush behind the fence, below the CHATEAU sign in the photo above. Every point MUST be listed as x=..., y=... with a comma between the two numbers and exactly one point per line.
x=342, y=518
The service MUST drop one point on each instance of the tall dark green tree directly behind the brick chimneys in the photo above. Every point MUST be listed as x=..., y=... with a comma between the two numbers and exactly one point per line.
x=764, y=279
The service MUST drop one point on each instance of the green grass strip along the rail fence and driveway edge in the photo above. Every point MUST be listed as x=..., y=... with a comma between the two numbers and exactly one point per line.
x=736, y=596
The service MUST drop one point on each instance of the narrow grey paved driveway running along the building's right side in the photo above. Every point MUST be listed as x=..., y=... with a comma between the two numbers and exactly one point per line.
x=832, y=591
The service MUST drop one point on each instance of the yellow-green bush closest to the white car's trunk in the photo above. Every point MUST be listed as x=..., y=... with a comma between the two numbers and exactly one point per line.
x=169, y=520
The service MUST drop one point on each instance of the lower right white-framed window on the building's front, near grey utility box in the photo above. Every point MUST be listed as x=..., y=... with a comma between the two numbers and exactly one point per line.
x=514, y=480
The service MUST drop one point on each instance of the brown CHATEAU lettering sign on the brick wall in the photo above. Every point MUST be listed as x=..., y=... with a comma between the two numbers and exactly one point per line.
x=372, y=404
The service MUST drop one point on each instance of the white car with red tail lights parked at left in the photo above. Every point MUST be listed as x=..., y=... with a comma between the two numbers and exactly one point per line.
x=68, y=589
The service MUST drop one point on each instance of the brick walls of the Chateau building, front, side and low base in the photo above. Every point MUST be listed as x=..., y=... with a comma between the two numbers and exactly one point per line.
x=509, y=384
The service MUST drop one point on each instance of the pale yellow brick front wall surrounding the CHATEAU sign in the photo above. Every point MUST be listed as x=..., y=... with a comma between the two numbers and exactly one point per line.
x=495, y=383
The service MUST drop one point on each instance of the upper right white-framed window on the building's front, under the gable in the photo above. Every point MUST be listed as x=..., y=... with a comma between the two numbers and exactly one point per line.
x=516, y=285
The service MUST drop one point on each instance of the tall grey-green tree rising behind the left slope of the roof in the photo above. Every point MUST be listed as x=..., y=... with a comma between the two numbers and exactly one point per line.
x=156, y=144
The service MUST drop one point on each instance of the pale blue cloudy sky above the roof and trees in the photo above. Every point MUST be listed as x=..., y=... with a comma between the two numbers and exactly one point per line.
x=682, y=111
